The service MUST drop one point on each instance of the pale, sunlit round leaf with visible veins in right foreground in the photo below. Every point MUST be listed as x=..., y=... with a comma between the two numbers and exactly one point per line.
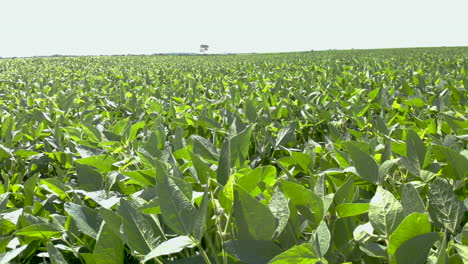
x=385, y=212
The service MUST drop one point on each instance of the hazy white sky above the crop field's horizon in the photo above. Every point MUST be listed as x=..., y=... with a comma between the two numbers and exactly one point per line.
x=93, y=27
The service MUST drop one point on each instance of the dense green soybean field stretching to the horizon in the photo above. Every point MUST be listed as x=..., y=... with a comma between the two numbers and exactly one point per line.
x=316, y=157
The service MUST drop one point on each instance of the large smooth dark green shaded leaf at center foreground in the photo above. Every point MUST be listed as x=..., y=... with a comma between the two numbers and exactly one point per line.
x=253, y=219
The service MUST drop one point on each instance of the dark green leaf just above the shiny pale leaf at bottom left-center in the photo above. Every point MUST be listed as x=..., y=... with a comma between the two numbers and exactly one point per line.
x=140, y=231
